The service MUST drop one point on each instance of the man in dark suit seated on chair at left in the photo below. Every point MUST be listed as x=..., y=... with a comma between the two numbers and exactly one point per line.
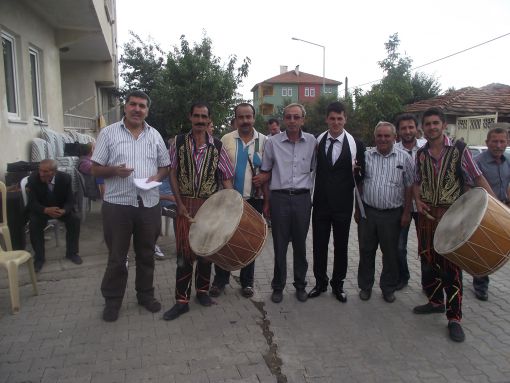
x=50, y=195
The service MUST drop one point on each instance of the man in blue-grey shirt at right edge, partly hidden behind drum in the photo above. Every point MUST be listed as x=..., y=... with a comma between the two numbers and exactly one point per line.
x=495, y=167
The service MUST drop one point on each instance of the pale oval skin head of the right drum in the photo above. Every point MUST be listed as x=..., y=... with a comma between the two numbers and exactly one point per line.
x=460, y=221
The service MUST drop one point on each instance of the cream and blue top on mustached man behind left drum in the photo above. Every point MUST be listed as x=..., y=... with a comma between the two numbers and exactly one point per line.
x=239, y=153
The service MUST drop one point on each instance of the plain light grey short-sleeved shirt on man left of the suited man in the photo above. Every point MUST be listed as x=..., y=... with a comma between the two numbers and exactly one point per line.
x=291, y=163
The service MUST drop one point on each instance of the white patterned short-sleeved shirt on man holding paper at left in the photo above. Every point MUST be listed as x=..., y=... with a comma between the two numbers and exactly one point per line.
x=115, y=146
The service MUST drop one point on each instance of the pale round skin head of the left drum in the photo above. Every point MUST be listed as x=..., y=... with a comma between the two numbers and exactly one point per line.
x=216, y=222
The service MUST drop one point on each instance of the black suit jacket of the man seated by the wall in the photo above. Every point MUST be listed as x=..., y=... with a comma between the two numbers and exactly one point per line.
x=39, y=196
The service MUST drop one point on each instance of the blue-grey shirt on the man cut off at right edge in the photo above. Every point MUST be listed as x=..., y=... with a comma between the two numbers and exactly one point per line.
x=498, y=175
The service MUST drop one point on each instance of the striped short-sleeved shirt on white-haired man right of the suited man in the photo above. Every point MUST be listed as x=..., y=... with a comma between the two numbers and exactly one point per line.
x=386, y=177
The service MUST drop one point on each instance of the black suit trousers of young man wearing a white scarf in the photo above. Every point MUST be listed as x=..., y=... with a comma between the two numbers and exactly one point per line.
x=322, y=221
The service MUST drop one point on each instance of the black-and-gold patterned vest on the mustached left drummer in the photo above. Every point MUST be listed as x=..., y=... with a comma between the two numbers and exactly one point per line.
x=193, y=182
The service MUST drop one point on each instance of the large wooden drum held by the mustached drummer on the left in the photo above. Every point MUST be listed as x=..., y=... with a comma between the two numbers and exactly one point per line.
x=228, y=231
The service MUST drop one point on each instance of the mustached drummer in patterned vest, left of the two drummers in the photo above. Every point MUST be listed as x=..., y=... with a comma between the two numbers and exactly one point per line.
x=197, y=162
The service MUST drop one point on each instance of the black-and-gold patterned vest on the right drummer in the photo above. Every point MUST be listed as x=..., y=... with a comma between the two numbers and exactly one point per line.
x=445, y=187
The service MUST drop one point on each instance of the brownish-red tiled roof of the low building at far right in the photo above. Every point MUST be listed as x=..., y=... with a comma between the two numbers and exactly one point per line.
x=491, y=98
